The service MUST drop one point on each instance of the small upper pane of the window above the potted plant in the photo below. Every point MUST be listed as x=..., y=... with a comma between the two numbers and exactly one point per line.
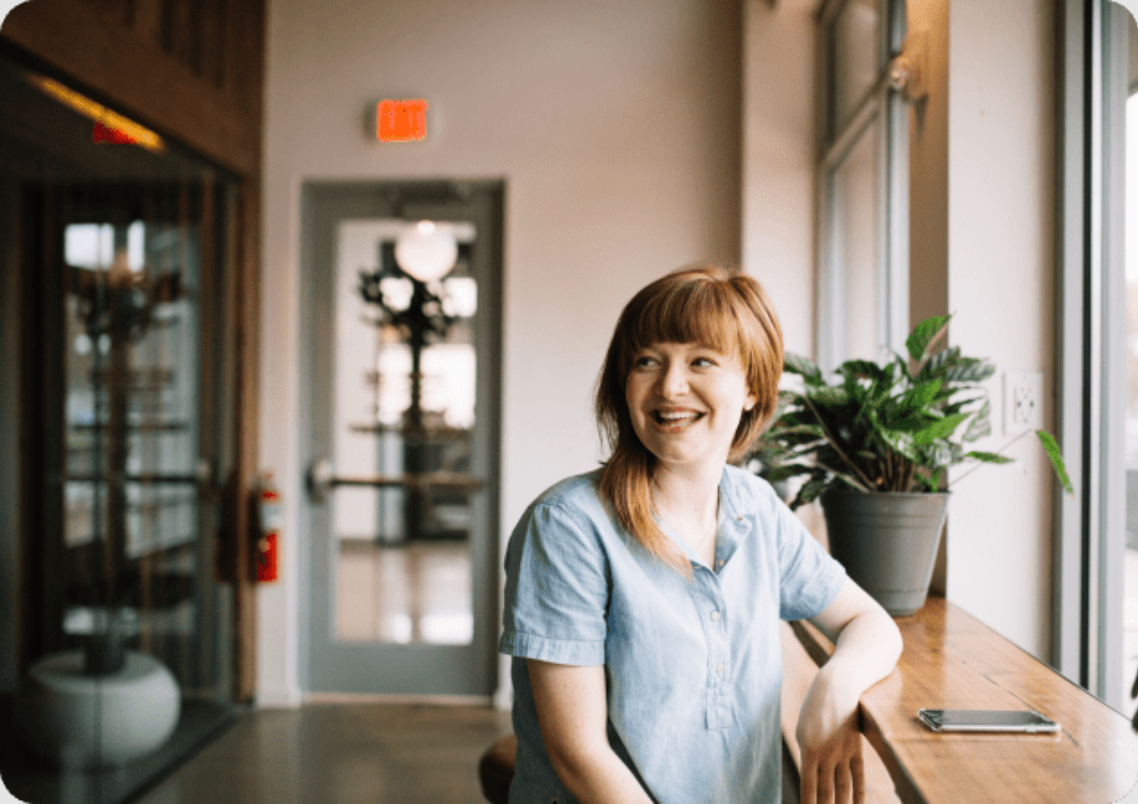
x=856, y=62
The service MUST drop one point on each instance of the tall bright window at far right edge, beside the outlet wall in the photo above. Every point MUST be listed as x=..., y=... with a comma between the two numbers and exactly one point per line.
x=1095, y=635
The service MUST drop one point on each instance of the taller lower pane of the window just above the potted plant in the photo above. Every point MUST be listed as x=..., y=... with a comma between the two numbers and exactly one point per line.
x=856, y=246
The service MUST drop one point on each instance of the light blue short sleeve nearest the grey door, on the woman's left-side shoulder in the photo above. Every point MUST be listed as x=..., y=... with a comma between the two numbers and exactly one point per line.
x=557, y=590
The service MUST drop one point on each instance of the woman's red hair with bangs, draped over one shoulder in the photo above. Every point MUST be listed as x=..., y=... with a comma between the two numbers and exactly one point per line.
x=704, y=304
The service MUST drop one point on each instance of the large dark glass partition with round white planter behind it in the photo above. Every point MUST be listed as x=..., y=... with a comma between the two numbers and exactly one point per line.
x=119, y=252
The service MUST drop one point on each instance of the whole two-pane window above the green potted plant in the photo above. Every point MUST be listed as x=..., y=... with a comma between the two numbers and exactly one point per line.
x=863, y=288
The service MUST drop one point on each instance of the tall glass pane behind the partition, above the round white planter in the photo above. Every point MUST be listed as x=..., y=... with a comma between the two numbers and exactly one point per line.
x=133, y=429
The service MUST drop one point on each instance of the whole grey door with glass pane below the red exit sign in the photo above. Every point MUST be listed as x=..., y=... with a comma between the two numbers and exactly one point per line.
x=401, y=376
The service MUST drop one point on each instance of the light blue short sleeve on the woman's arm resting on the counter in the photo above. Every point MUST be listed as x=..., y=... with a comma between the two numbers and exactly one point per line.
x=810, y=578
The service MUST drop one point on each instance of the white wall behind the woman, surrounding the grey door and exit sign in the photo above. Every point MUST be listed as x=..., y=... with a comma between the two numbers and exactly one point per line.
x=616, y=127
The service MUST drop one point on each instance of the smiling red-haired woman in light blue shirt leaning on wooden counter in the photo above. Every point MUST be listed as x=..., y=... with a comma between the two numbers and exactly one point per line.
x=644, y=600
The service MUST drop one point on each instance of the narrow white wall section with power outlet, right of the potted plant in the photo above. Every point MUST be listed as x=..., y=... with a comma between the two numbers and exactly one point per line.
x=1001, y=275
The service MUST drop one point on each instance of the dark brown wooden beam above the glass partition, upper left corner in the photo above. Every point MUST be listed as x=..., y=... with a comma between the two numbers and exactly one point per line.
x=106, y=59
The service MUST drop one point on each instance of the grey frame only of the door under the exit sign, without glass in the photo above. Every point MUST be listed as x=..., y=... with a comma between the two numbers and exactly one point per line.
x=415, y=670
